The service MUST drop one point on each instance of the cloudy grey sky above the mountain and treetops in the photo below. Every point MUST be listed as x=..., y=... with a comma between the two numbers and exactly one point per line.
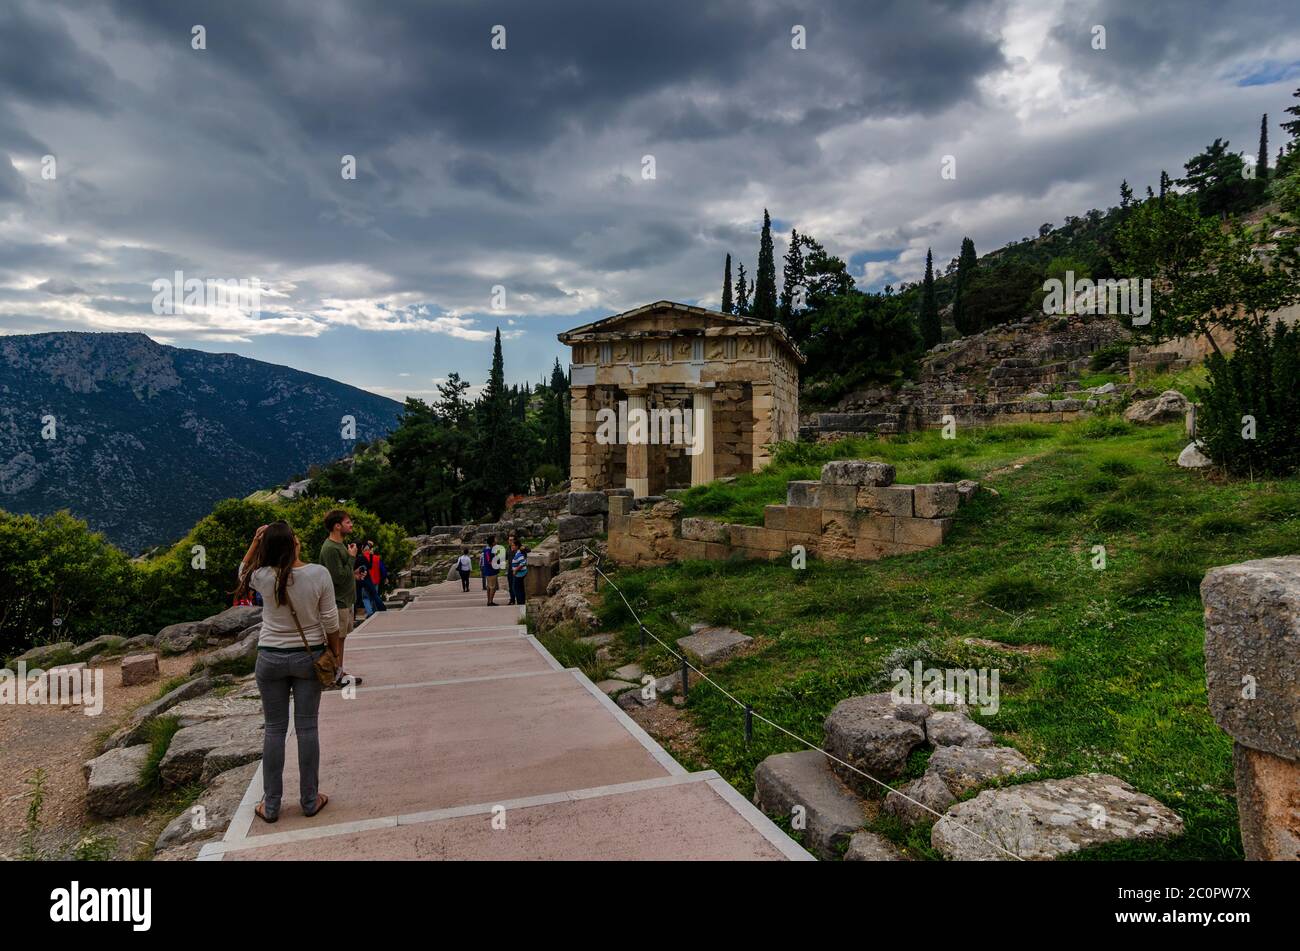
x=523, y=168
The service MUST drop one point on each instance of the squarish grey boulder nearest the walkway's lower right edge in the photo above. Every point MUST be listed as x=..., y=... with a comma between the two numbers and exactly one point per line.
x=830, y=811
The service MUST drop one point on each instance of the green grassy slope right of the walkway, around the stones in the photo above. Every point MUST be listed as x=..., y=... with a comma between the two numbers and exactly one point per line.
x=1121, y=687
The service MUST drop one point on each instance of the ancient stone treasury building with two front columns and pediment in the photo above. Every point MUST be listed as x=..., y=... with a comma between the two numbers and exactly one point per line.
x=669, y=397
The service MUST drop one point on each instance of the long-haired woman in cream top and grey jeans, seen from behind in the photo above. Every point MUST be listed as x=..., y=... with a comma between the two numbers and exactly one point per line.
x=300, y=622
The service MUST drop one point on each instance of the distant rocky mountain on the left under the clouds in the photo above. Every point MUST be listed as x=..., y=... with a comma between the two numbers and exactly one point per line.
x=149, y=437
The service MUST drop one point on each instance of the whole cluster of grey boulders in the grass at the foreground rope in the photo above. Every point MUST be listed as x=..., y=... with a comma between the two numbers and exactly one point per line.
x=877, y=735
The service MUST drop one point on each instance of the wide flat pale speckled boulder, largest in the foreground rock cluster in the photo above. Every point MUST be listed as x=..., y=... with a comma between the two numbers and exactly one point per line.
x=1050, y=819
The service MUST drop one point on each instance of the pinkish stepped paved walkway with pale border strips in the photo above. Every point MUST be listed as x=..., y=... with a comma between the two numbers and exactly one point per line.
x=470, y=741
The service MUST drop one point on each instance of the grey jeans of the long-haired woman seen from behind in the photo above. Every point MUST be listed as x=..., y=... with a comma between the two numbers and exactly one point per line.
x=279, y=676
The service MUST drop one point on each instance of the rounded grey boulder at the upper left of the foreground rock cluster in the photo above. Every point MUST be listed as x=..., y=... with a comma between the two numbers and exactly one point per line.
x=873, y=736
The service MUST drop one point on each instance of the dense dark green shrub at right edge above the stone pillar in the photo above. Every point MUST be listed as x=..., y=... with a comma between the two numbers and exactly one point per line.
x=1262, y=380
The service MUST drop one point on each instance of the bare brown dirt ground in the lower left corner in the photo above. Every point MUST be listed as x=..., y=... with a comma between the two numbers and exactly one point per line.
x=60, y=741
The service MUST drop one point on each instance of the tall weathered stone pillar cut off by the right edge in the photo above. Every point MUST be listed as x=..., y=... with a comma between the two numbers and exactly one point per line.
x=1253, y=675
